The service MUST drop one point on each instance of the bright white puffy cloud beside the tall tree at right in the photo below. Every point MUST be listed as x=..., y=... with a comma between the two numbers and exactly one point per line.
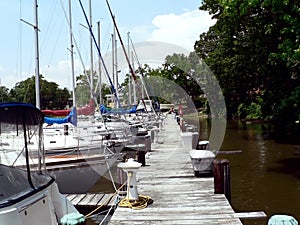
x=182, y=30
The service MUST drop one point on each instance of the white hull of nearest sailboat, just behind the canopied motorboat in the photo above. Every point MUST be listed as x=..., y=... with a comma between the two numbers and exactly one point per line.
x=75, y=173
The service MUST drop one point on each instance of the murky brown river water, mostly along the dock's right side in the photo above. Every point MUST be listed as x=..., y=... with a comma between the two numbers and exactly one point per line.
x=265, y=175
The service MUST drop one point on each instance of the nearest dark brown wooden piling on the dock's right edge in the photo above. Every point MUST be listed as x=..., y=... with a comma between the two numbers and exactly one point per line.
x=222, y=178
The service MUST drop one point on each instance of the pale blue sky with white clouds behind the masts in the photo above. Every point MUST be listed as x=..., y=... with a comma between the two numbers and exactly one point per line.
x=175, y=22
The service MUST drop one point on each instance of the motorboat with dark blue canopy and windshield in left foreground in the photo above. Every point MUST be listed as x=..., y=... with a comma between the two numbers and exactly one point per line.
x=28, y=195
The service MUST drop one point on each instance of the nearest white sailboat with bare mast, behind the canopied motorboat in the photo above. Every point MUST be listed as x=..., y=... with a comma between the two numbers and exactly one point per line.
x=78, y=167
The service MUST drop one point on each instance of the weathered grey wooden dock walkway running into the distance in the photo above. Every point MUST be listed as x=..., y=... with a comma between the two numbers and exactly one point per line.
x=178, y=196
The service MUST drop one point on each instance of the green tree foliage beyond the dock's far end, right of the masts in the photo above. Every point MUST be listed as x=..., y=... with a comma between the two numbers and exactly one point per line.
x=177, y=70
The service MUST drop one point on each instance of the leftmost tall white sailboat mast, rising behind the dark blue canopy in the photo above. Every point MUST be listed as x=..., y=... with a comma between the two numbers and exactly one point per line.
x=37, y=63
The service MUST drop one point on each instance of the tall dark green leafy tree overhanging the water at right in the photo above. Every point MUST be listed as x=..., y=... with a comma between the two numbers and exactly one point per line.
x=253, y=50
